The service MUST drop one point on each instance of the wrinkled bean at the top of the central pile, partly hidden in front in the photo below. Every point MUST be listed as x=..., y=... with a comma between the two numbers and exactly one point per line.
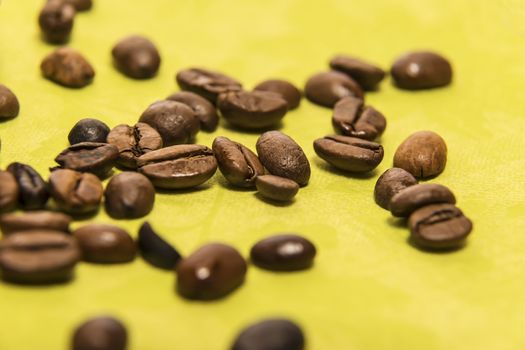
x=206, y=83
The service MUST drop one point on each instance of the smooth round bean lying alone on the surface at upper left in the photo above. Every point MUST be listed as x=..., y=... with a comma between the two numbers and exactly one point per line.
x=137, y=57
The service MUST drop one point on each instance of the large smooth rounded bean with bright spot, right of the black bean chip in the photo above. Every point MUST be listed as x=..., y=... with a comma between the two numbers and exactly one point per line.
x=211, y=272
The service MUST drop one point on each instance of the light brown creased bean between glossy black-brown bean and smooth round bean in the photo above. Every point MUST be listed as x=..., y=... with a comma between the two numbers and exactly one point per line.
x=74, y=192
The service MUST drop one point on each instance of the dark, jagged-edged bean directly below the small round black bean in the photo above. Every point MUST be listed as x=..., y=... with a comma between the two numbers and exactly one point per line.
x=92, y=157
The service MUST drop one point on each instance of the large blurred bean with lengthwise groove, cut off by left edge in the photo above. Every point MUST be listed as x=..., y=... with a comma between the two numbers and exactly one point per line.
x=38, y=257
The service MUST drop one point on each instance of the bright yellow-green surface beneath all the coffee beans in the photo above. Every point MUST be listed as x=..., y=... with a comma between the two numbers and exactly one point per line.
x=369, y=289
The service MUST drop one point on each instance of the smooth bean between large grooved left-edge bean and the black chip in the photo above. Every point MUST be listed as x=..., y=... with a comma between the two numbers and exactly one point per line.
x=105, y=244
